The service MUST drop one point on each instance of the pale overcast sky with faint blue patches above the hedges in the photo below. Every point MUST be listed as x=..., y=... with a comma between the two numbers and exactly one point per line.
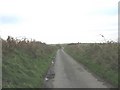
x=60, y=21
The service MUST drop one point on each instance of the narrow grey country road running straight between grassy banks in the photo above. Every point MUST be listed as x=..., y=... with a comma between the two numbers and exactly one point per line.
x=70, y=74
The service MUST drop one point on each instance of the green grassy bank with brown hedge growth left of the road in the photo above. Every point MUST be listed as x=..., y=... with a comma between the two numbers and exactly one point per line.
x=25, y=63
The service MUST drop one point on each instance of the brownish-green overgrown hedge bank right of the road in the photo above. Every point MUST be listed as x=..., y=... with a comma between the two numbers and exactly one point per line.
x=102, y=59
